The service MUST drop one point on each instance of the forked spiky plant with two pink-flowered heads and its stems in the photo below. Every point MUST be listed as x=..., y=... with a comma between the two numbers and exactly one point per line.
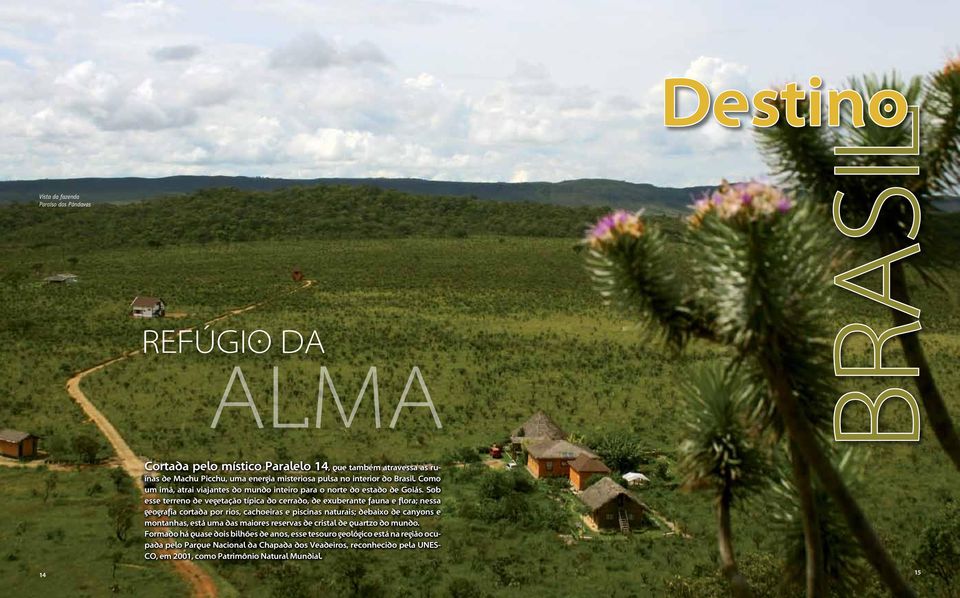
x=757, y=286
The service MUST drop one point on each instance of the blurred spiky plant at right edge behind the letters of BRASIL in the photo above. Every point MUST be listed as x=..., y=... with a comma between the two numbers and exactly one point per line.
x=804, y=158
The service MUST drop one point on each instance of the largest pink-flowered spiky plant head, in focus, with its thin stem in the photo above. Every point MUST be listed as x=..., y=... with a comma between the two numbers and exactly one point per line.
x=762, y=264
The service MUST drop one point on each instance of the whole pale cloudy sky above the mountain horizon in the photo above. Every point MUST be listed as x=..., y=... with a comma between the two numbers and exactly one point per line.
x=483, y=90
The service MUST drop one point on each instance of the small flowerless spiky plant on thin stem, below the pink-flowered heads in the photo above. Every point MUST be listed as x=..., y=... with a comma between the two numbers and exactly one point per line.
x=720, y=457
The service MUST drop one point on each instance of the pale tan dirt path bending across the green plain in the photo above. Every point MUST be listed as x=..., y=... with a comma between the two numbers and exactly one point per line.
x=200, y=581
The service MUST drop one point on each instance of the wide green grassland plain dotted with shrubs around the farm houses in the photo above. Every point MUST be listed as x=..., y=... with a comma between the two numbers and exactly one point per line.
x=500, y=325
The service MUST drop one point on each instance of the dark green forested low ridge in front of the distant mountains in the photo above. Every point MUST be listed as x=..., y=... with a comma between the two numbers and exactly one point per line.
x=233, y=215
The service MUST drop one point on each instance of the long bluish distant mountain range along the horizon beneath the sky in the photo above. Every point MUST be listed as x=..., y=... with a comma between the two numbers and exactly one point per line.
x=581, y=192
